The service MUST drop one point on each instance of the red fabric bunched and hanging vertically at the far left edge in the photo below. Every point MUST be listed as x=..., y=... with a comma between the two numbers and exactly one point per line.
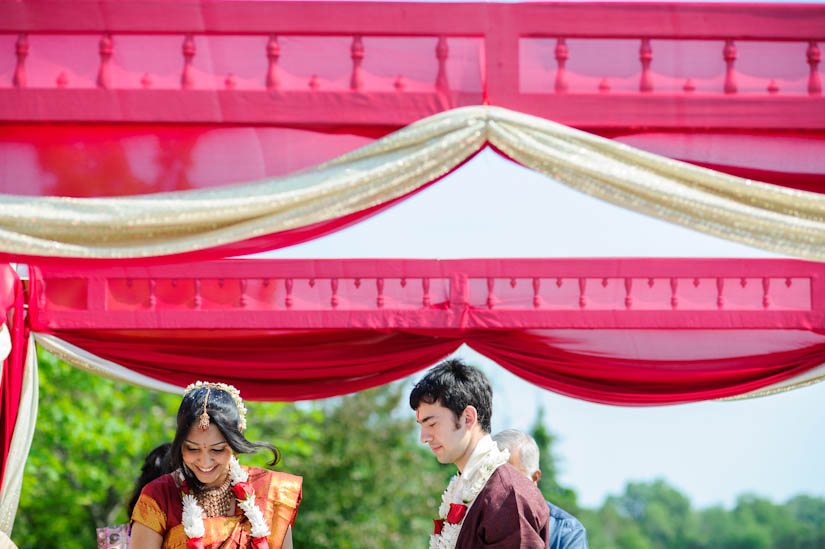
x=11, y=305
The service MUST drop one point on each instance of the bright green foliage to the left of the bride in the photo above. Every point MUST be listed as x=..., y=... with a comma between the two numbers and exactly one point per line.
x=91, y=437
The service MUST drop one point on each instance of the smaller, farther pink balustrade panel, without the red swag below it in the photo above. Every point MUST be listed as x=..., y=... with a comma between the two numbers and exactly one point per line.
x=451, y=294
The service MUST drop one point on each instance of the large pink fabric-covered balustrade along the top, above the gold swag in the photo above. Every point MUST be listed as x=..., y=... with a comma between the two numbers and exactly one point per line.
x=603, y=65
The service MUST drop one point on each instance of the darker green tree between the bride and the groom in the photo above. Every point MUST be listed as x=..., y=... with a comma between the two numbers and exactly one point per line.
x=369, y=484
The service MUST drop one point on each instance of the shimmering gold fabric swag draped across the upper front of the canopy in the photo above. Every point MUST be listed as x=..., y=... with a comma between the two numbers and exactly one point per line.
x=766, y=216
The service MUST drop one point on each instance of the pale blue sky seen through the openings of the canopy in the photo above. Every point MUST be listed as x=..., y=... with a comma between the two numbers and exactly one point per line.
x=710, y=451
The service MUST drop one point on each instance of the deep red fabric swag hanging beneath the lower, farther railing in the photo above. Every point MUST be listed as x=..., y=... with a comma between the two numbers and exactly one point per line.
x=324, y=363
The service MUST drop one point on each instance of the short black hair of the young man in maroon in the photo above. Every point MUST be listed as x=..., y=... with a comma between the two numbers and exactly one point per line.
x=456, y=385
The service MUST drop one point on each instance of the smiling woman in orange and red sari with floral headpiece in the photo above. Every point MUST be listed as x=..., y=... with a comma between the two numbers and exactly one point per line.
x=209, y=500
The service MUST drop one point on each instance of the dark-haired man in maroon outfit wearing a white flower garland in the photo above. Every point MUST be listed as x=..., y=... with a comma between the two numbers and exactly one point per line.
x=489, y=503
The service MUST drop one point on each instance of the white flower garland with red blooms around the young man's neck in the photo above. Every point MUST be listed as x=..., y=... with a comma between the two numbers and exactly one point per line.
x=463, y=490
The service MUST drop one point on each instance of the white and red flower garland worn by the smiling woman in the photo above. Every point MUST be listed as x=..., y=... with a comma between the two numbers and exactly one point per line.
x=193, y=513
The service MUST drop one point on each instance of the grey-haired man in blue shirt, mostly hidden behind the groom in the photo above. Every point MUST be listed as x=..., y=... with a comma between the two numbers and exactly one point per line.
x=565, y=531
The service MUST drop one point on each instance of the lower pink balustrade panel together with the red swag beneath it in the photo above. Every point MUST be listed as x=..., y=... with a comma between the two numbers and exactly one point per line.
x=628, y=332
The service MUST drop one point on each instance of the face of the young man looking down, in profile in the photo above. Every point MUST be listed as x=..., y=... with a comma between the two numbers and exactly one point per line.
x=442, y=432
